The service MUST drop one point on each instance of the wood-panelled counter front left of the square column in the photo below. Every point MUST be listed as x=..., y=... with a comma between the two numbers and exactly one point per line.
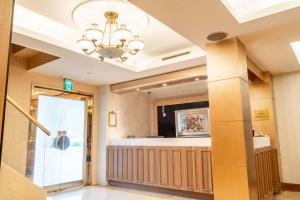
x=182, y=168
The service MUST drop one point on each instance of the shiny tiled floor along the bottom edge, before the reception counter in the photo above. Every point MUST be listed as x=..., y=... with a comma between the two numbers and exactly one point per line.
x=112, y=193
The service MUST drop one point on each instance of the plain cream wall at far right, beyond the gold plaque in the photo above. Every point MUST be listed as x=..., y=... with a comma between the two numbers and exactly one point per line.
x=287, y=101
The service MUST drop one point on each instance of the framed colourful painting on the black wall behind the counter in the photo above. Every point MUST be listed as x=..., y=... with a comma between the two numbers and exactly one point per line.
x=192, y=122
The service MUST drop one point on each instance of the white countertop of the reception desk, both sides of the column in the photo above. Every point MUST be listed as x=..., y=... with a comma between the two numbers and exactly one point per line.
x=259, y=142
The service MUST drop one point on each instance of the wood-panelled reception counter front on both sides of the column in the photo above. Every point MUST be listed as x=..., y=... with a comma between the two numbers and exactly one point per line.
x=183, y=168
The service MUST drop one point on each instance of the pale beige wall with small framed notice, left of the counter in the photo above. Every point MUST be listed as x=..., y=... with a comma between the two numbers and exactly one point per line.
x=133, y=118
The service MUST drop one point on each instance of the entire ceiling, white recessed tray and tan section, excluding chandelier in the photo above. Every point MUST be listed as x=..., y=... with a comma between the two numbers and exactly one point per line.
x=193, y=21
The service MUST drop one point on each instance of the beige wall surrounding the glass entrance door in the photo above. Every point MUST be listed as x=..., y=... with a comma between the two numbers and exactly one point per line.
x=16, y=126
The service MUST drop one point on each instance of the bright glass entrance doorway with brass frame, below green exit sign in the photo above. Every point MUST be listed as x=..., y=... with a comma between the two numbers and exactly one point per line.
x=60, y=161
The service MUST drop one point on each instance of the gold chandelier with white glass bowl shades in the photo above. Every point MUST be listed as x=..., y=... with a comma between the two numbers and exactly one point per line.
x=114, y=41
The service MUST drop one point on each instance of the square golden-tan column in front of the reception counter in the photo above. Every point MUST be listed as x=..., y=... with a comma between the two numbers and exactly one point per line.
x=232, y=144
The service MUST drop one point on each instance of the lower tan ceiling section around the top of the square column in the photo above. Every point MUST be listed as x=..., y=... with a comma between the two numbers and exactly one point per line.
x=194, y=20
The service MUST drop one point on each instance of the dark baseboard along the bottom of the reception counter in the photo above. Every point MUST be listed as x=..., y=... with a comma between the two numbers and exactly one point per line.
x=188, y=194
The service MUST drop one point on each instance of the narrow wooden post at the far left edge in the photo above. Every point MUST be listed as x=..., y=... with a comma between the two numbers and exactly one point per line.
x=6, y=13
